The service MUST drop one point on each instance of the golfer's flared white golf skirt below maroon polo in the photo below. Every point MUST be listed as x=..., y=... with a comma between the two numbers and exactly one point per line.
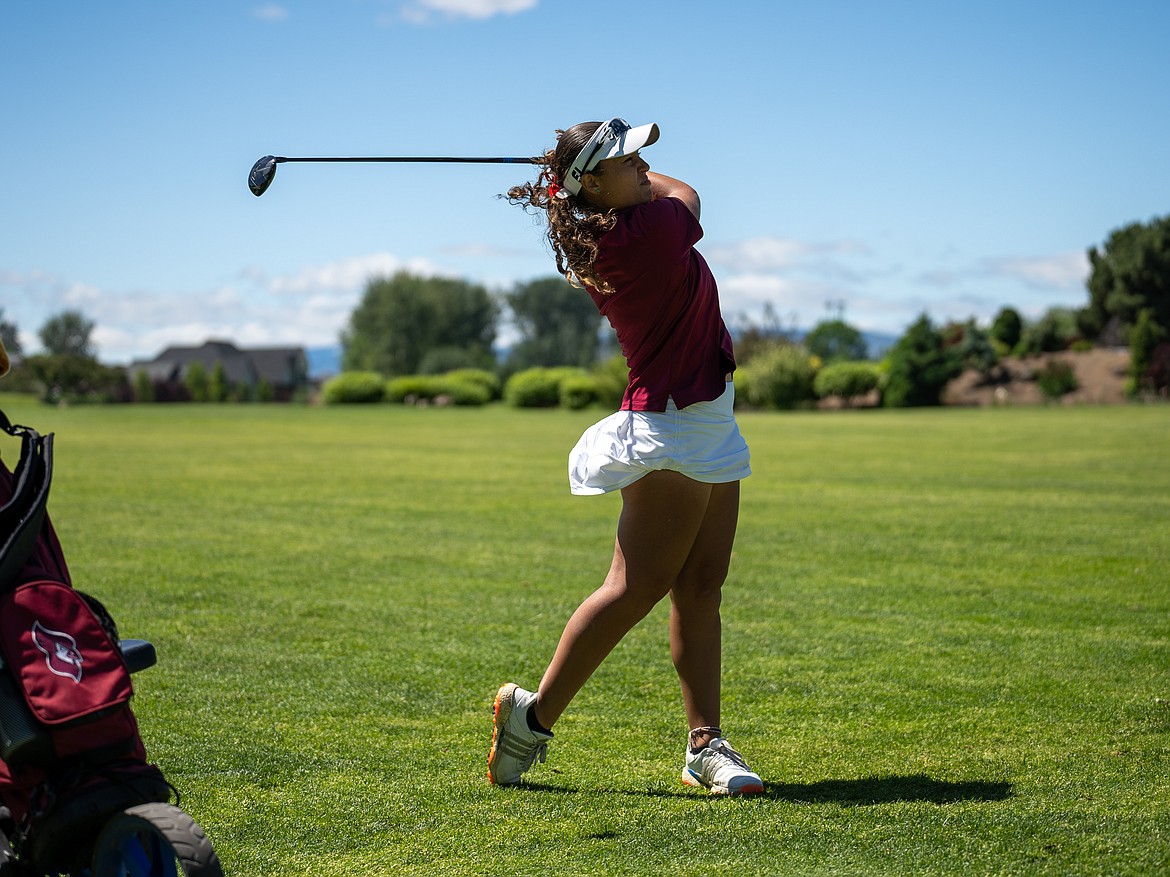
x=703, y=441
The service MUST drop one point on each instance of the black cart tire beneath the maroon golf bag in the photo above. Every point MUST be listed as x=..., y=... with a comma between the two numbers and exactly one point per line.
x=159, y=834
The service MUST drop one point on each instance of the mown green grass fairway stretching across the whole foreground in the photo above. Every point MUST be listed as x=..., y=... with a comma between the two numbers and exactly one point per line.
x=947, y=640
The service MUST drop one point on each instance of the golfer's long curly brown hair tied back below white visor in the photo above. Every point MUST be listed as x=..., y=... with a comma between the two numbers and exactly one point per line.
x=575, y=226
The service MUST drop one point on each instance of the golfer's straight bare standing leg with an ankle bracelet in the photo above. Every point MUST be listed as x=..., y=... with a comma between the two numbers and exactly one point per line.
x=696, y=626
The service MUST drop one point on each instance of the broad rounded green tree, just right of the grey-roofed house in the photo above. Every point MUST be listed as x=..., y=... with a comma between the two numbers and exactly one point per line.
x=402, y=319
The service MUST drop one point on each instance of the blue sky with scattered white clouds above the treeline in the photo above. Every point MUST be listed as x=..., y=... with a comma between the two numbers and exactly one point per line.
x=892, y=158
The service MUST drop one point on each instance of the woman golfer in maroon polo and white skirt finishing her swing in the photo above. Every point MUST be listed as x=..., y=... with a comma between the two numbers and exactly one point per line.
x=673, y=451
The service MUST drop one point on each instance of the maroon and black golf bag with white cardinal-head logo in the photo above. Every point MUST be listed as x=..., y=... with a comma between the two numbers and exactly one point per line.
x=71, y=755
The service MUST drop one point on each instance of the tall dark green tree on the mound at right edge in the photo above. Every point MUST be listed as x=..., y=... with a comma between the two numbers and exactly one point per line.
x=1131, y=274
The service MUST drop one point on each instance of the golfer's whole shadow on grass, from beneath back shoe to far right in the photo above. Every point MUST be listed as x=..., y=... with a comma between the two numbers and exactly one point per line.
x=864, y=792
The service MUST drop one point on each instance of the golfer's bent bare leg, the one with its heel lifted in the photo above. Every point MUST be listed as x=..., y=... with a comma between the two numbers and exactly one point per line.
x=662, y=516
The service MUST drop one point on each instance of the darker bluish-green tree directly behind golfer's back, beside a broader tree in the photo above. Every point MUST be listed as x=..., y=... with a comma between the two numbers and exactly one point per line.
x=558, y=323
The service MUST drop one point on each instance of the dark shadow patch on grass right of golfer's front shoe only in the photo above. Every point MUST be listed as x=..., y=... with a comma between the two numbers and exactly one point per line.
x=887, y=790
